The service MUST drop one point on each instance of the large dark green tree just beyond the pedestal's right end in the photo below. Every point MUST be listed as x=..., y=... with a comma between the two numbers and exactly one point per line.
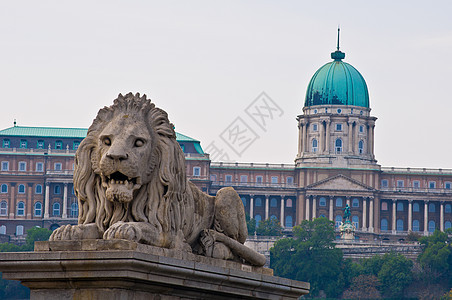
x=310, y=256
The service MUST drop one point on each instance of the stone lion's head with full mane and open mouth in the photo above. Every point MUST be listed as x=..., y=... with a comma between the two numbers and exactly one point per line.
x=130, y=167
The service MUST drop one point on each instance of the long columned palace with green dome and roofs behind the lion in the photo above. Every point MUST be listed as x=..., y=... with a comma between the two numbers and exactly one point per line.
x=335, y=165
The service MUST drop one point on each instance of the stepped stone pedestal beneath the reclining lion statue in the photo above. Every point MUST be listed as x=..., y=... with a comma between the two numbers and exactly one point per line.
x=119, y=269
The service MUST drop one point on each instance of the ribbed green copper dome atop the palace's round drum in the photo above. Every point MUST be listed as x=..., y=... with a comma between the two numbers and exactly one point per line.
x=337, y=83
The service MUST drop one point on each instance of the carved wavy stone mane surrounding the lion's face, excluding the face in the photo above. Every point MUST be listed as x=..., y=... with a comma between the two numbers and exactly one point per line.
x=161, y=201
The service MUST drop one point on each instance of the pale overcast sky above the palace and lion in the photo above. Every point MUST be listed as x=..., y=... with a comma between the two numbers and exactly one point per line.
x=205, y=62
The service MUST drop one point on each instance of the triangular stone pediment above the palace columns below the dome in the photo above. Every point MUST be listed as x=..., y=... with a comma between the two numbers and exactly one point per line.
x=340, y=182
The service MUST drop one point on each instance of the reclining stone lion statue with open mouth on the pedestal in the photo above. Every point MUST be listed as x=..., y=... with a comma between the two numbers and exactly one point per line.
x=131, y=183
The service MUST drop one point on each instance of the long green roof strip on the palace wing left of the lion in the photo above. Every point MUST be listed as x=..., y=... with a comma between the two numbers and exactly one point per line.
x=45, y=132
